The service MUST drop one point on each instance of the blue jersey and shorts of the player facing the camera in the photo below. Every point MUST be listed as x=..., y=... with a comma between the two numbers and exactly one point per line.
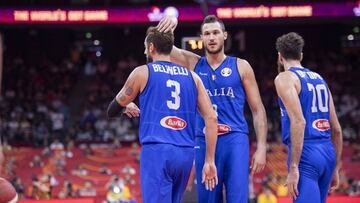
x=226, y=91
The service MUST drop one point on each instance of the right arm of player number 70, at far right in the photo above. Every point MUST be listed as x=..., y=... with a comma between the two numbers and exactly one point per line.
x=337, y=139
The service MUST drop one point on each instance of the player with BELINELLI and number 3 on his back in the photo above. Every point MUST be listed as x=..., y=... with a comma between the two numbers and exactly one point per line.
x=169, y=98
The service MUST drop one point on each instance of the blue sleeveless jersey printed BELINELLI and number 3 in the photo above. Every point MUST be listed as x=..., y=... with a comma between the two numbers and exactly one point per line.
x=168, y=105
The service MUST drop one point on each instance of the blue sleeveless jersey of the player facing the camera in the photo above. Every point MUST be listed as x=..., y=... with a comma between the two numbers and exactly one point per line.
x=227, y=95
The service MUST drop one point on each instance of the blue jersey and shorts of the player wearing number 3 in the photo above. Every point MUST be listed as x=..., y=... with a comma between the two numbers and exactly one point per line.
x=167, y=132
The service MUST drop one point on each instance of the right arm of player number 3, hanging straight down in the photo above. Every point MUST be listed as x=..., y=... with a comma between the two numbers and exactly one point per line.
x=209, y=174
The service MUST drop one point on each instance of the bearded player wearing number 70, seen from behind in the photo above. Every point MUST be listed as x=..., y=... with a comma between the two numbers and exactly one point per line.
x=310, y=127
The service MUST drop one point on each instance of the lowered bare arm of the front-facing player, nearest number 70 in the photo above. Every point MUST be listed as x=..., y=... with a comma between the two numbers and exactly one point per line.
x=258, y=112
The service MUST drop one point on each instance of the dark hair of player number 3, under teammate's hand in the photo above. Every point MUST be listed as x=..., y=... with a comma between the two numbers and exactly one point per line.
x=163, y=42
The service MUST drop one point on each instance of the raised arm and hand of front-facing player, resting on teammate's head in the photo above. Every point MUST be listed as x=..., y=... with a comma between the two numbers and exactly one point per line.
x=182, y=57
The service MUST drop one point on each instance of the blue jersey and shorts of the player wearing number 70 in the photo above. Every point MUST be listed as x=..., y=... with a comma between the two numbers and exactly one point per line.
x=318, y=158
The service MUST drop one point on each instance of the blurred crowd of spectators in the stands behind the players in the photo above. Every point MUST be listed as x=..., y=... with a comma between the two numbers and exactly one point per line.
x=54, y=105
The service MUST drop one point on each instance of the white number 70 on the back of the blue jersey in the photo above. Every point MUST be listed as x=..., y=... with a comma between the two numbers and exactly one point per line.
x=321, y=95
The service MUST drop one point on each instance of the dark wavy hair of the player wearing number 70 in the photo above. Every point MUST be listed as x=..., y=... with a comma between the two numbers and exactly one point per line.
x=290, y=45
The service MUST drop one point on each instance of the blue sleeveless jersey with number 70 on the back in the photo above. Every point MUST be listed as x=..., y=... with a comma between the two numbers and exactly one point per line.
x=314, y=99
